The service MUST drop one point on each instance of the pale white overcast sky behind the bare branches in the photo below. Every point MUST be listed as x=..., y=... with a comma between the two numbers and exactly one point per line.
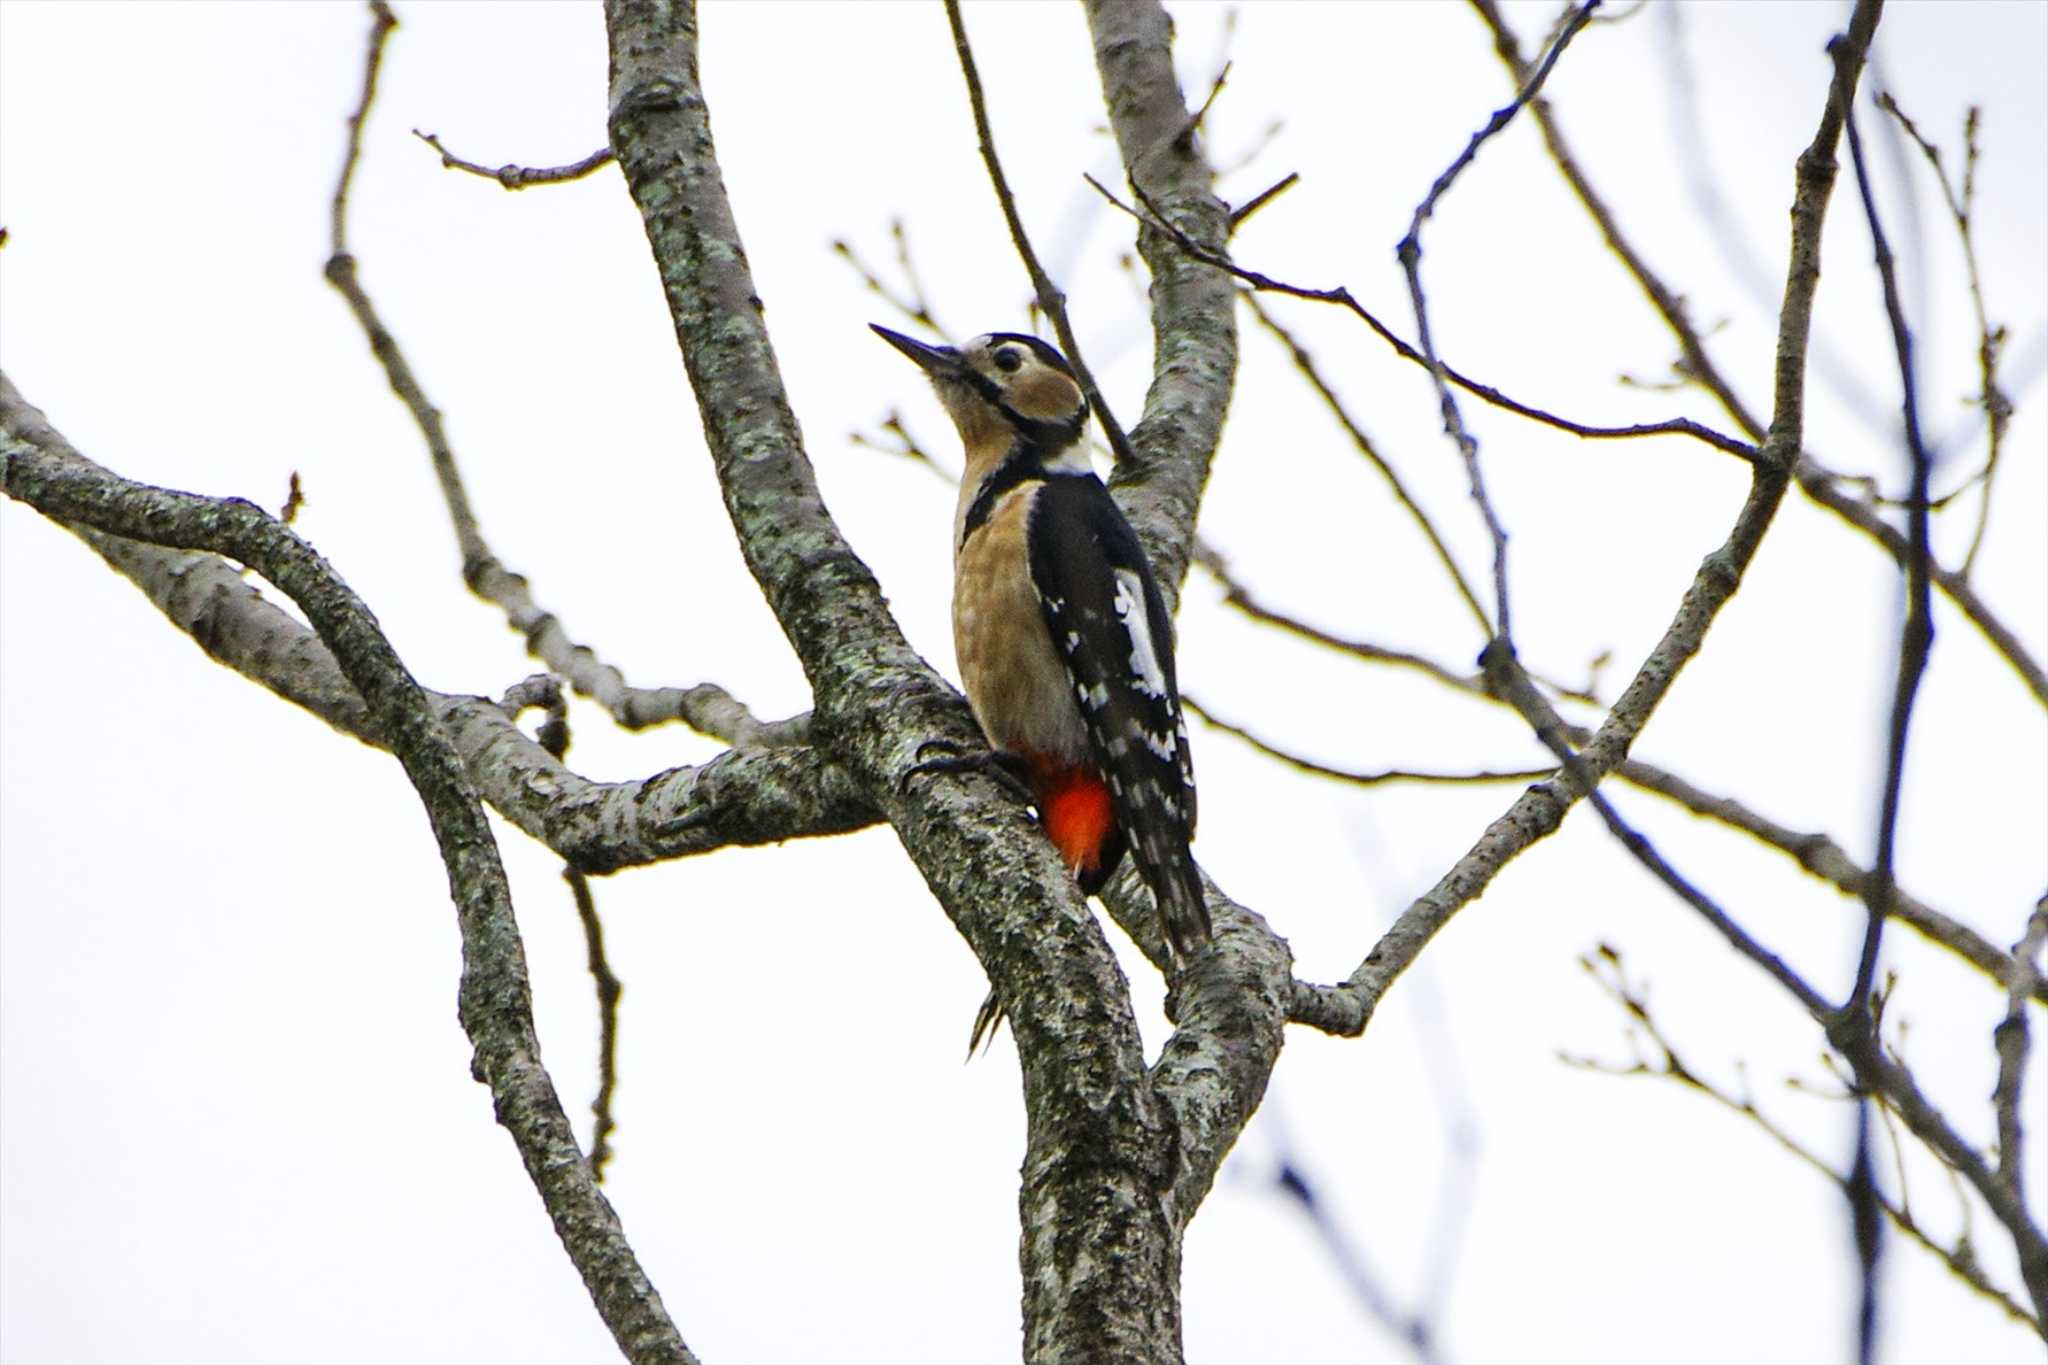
x=237, y=1118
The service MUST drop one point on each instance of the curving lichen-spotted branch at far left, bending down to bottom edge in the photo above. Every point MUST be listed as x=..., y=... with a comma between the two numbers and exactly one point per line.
x=495, y=1002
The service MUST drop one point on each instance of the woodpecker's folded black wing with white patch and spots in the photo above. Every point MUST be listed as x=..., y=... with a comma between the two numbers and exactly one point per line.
x=1111, y=627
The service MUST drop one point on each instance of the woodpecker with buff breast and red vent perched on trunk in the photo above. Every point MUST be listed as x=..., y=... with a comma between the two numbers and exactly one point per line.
x=1064, y=642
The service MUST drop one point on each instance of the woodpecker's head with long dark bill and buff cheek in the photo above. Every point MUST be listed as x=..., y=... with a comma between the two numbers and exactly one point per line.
x=1000, y=390
